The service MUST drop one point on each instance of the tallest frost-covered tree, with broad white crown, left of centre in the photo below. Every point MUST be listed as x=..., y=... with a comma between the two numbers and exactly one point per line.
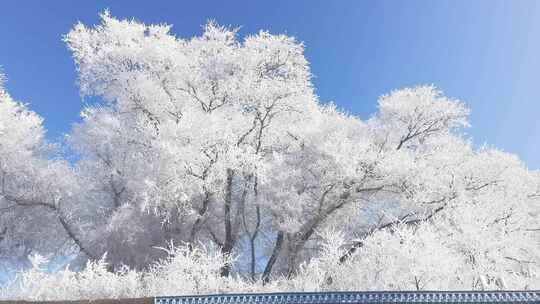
x=185, y=126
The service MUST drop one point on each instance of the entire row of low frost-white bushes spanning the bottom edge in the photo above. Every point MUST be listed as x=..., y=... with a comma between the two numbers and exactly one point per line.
x=417, y=257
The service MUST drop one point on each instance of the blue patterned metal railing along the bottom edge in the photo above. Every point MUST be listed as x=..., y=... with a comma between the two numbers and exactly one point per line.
x=360, y=297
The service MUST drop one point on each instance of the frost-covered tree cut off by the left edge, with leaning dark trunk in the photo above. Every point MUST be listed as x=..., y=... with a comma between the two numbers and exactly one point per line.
x=37, y=207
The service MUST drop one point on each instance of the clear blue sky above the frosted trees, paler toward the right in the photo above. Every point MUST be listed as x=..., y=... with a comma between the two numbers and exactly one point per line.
x=486, y=53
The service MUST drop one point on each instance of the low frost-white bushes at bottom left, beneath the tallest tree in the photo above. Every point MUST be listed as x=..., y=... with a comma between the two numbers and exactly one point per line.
x=185, y=270
